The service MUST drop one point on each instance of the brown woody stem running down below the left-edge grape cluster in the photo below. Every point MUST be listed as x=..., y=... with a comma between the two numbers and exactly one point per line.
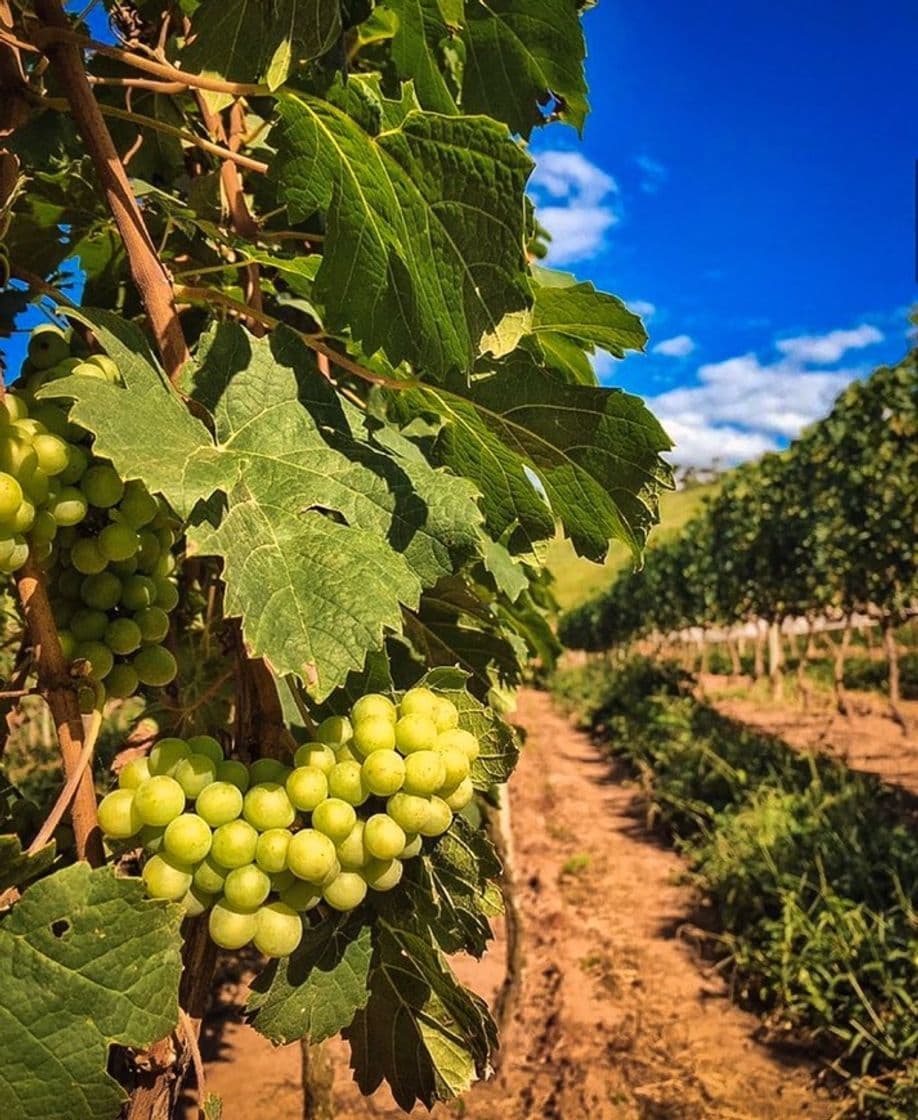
x=59, y=688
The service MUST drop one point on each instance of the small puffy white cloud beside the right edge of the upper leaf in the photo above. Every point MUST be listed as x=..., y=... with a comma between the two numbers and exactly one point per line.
x=574, y=202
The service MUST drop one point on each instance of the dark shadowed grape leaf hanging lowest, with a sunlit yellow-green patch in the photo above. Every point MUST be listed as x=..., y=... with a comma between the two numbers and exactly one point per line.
x=420, y=1031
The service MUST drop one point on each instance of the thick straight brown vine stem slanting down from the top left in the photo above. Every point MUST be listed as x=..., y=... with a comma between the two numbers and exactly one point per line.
x=147, y=269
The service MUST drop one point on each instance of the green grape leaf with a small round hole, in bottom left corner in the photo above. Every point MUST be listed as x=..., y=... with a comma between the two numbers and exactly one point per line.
x=86, y=962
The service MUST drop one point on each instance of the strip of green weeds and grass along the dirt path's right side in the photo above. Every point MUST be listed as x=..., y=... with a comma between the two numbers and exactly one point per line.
x=813, y=870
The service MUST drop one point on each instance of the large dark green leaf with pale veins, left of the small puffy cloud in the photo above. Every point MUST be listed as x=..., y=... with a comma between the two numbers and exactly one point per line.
x=424, y=253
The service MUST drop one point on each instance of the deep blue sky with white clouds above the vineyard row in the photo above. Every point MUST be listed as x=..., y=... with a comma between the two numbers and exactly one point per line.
x=747, y=176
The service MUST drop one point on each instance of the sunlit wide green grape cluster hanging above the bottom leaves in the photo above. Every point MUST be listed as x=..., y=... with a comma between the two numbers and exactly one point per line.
x=260, y=846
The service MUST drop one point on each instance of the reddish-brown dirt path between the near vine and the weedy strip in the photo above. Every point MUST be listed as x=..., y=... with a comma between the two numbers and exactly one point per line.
x=615, y=1020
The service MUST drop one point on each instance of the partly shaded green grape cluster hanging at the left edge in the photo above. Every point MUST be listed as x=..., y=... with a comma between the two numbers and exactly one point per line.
x=106, y=543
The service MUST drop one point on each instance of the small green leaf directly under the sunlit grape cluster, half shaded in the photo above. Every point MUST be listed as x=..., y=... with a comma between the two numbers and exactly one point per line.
x=317, y=991
